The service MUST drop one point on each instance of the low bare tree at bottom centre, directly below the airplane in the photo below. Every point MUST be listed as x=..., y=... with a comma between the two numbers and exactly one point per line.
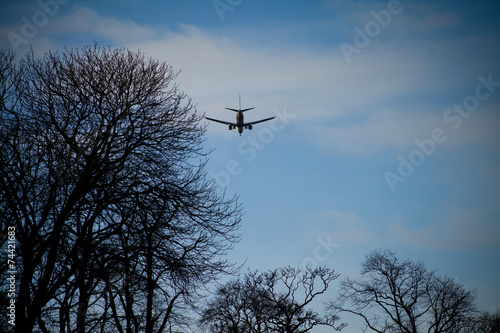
x=274, y=301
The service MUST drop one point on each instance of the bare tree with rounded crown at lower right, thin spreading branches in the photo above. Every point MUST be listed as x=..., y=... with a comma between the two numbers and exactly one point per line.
x=395, y=295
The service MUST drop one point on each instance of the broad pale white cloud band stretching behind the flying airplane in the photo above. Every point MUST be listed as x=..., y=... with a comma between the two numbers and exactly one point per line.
x=382, y=100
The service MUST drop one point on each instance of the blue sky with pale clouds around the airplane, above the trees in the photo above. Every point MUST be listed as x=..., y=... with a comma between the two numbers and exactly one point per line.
x=367, y=91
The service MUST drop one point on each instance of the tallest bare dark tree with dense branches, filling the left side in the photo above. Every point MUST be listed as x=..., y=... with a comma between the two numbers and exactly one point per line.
x=102, y=175
